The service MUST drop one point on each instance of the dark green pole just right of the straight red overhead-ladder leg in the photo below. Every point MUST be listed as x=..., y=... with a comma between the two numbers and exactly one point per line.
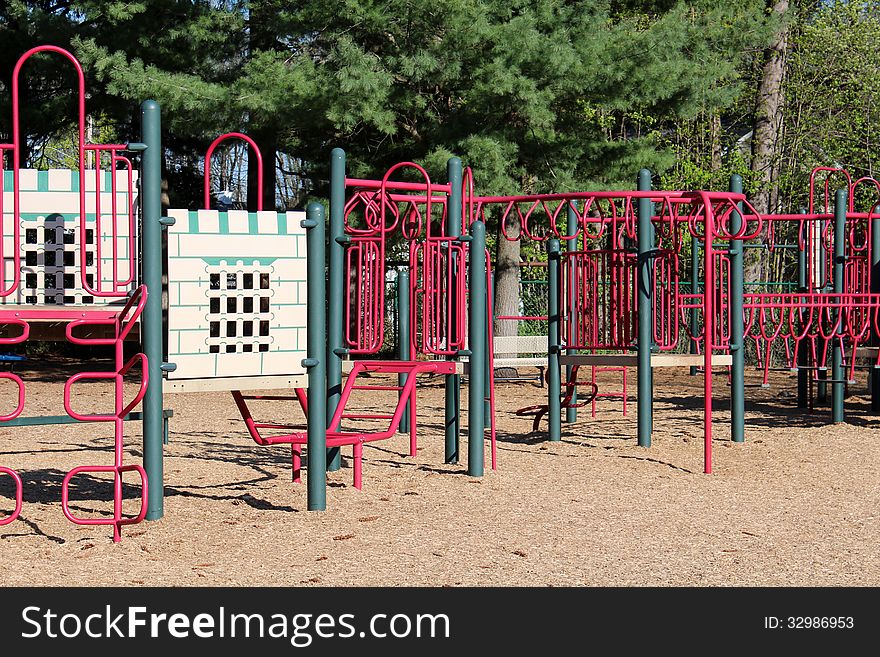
x=737, y=330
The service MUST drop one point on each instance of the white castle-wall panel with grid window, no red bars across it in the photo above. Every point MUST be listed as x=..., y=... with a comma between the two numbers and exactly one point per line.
x=236, y=294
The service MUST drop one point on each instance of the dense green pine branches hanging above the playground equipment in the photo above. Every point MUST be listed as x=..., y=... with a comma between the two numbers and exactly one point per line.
x=535, y=95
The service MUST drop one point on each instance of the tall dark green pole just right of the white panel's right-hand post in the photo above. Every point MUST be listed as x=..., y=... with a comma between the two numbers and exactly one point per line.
x=336, y=289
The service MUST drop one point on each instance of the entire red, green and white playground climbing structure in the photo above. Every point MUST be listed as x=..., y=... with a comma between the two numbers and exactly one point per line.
x=76, y=255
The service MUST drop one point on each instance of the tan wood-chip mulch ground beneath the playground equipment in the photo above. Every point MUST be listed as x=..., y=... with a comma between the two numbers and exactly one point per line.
x=797, y=504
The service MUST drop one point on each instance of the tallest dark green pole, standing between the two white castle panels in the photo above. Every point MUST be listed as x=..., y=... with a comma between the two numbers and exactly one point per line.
x=151, y=245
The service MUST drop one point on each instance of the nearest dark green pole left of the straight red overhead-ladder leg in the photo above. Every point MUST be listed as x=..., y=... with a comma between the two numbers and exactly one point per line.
x=645, y=401
